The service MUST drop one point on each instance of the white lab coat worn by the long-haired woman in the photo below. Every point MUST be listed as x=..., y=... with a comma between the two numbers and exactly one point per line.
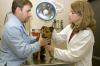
x=80, y=48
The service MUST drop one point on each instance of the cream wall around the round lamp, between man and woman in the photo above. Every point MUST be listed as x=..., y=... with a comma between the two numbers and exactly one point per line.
x=61, y=16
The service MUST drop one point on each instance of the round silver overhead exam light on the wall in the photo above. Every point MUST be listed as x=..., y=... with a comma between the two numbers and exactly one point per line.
x=45, y=11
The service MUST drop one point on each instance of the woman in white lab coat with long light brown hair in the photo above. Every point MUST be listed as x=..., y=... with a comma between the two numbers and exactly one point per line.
x=78, y=36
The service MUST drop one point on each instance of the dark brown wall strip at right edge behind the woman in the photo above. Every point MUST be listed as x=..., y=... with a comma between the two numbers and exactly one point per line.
x=96, y=58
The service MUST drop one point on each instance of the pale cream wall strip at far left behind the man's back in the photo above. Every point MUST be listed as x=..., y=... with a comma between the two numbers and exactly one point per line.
x=5, y=6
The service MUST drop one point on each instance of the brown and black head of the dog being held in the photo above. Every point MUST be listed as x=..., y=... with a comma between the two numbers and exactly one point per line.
x=46, y=32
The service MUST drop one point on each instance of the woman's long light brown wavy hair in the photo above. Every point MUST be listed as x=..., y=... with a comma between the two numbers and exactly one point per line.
x=84, y=9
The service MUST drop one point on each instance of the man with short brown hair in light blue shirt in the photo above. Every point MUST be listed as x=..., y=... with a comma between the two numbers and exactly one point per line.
x=16, y=44
